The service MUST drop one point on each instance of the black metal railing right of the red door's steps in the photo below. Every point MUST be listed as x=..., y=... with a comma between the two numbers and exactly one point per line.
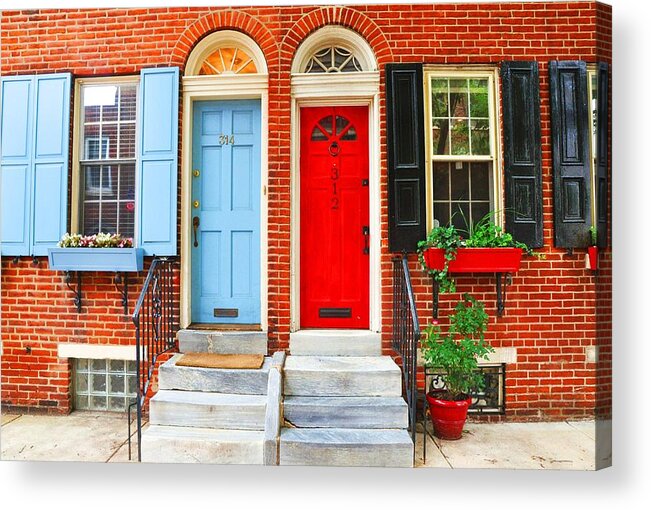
x=406, y=334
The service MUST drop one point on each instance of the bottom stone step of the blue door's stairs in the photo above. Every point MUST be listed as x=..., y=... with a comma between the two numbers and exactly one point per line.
x=201, y=445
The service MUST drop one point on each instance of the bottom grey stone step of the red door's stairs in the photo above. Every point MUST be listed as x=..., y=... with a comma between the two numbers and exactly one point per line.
x=346, y=447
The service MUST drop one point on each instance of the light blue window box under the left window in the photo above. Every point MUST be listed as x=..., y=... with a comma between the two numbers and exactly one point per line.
x=96, y=259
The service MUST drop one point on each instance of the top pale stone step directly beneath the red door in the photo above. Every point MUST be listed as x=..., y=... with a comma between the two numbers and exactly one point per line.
x=335, y=342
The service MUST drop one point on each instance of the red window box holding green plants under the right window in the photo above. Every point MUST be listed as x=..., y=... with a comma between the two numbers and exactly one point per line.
x=476, y=260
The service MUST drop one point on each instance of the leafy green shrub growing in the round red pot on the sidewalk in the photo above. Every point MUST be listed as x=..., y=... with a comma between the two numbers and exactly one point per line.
x=458, y=350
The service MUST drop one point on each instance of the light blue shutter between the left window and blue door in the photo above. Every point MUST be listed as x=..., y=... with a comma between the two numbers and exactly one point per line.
x=157, y=159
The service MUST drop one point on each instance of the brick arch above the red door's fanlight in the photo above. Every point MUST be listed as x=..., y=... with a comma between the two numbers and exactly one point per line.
x=335, y=15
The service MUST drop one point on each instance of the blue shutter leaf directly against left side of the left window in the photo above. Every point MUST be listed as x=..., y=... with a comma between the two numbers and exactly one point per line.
x=50, y=174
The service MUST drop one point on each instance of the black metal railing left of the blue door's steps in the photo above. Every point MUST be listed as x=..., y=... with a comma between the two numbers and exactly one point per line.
x=156, y=329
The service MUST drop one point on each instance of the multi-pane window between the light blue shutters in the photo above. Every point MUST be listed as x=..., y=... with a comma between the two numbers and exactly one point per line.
x=108, y=158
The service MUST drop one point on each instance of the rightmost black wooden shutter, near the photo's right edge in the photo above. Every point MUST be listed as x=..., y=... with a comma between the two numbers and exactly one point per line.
x=571, y=153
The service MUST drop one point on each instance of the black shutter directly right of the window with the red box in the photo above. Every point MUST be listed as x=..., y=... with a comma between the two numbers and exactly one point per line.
x=522, y=152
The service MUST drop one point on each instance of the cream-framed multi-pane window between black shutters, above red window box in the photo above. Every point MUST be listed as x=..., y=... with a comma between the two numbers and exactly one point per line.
x=461, y=138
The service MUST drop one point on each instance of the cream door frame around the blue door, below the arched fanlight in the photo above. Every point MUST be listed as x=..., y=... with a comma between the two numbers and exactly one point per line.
x=216, y=88
